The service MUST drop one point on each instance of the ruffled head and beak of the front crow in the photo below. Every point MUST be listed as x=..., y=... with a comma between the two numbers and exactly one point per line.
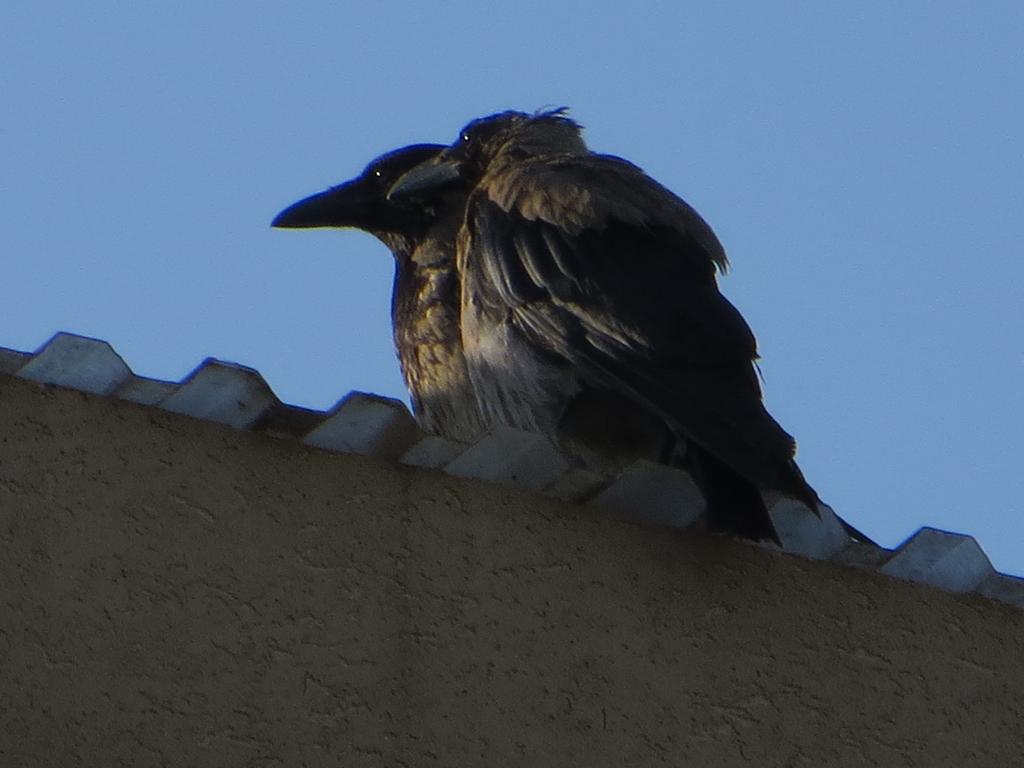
x=507, y=136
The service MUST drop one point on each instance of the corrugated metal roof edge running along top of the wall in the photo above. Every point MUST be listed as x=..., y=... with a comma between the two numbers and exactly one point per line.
x=381, y=428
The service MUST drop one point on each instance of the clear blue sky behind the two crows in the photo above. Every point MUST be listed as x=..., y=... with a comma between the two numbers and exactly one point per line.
x=864, y=164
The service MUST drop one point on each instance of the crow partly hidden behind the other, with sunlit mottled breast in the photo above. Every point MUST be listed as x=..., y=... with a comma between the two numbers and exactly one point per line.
x=420, y=233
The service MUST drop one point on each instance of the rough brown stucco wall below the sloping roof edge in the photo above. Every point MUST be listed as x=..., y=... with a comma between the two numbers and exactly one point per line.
x=176, y=592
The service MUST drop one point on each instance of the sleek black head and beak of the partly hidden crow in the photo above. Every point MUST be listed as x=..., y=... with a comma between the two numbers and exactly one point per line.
x=363, y=203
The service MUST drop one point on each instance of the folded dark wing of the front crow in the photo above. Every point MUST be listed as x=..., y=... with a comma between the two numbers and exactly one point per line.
x=599, y=264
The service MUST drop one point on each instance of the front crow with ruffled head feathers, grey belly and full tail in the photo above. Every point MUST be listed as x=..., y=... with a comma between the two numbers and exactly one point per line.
x=590, y=312
